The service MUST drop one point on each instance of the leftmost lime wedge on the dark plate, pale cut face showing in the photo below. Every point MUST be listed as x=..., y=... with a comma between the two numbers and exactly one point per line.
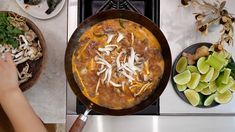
x=183, y=78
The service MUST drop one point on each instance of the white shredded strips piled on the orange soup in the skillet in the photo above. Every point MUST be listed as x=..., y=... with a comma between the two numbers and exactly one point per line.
x=127, y=64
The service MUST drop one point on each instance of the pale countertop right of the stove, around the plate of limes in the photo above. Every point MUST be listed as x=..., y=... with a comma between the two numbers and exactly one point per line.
x=178, y=25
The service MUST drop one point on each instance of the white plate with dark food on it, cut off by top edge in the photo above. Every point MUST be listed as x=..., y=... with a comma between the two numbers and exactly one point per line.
x=38, y=11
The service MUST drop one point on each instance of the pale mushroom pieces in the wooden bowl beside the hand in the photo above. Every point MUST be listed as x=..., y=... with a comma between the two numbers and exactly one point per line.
x=27, y=50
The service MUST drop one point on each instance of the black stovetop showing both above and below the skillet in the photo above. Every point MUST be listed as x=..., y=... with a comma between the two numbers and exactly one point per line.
x=148, y=8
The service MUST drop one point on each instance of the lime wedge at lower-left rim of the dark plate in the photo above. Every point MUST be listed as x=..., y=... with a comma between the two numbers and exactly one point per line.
x=192, y=96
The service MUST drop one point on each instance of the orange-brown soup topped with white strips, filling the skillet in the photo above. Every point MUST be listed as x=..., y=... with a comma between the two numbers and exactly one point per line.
x=118, y=63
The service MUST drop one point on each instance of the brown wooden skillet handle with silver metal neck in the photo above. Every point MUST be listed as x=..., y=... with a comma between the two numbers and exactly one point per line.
x=80, y=122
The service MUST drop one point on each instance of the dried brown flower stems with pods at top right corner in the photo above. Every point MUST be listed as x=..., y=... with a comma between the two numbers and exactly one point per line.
x=213, y=13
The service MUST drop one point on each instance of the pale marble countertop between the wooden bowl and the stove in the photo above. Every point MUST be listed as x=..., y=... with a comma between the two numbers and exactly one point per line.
x=48, y=95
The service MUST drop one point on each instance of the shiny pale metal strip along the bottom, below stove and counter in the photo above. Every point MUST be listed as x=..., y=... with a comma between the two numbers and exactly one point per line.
x=156, y=124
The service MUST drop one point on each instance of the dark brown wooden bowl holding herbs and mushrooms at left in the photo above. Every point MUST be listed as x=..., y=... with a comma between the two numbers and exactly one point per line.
x=36, y=66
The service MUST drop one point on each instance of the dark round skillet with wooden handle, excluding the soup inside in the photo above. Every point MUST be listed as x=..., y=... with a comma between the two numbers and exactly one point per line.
x=72, y=46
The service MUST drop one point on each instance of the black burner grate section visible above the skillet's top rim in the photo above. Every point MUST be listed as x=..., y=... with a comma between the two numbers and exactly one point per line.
x=148, y=8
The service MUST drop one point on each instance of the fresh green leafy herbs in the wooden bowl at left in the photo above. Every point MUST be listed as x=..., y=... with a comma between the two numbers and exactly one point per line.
x=8, y=33
